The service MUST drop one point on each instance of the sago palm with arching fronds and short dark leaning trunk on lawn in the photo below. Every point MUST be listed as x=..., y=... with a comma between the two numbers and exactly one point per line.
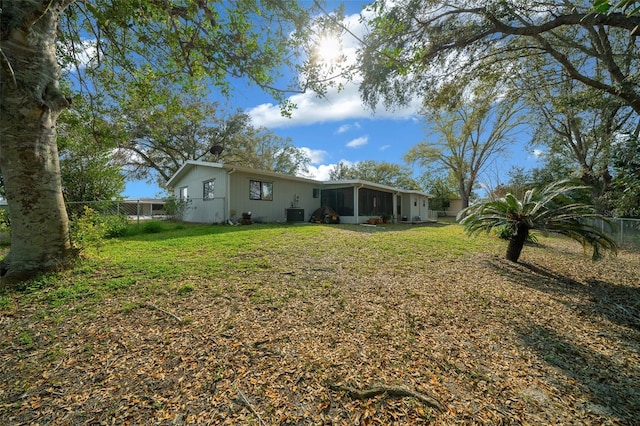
x=554, y=209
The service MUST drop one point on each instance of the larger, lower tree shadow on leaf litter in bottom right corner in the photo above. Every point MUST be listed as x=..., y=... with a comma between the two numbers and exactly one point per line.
x=610, y=382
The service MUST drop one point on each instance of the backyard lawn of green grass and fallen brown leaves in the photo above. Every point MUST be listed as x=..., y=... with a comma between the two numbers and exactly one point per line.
x=312, y=324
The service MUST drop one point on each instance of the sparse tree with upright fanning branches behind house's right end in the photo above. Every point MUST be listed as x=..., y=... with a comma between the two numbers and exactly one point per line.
x=471, y=132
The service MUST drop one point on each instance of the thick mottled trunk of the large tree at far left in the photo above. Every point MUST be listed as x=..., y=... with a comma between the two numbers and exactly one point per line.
x=30, y=104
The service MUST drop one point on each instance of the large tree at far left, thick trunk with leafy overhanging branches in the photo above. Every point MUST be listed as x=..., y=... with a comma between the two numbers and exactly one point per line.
x=186, y=41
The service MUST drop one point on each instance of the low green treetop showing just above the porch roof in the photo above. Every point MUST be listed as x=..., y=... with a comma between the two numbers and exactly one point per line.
x=378, y=172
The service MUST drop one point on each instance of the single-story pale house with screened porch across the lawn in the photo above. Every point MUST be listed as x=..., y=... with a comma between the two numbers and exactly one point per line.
x=216, y=193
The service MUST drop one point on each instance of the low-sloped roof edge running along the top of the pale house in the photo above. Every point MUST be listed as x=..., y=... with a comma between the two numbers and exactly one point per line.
x=230, y=168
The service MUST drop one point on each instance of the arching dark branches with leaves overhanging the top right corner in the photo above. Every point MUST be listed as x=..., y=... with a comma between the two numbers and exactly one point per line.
x=419, y=46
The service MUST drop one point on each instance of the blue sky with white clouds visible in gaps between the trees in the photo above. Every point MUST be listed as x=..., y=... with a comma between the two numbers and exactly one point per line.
x=340, y=128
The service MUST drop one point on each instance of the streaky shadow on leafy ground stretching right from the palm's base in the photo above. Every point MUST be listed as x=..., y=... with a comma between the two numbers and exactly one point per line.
x=616, y=303
